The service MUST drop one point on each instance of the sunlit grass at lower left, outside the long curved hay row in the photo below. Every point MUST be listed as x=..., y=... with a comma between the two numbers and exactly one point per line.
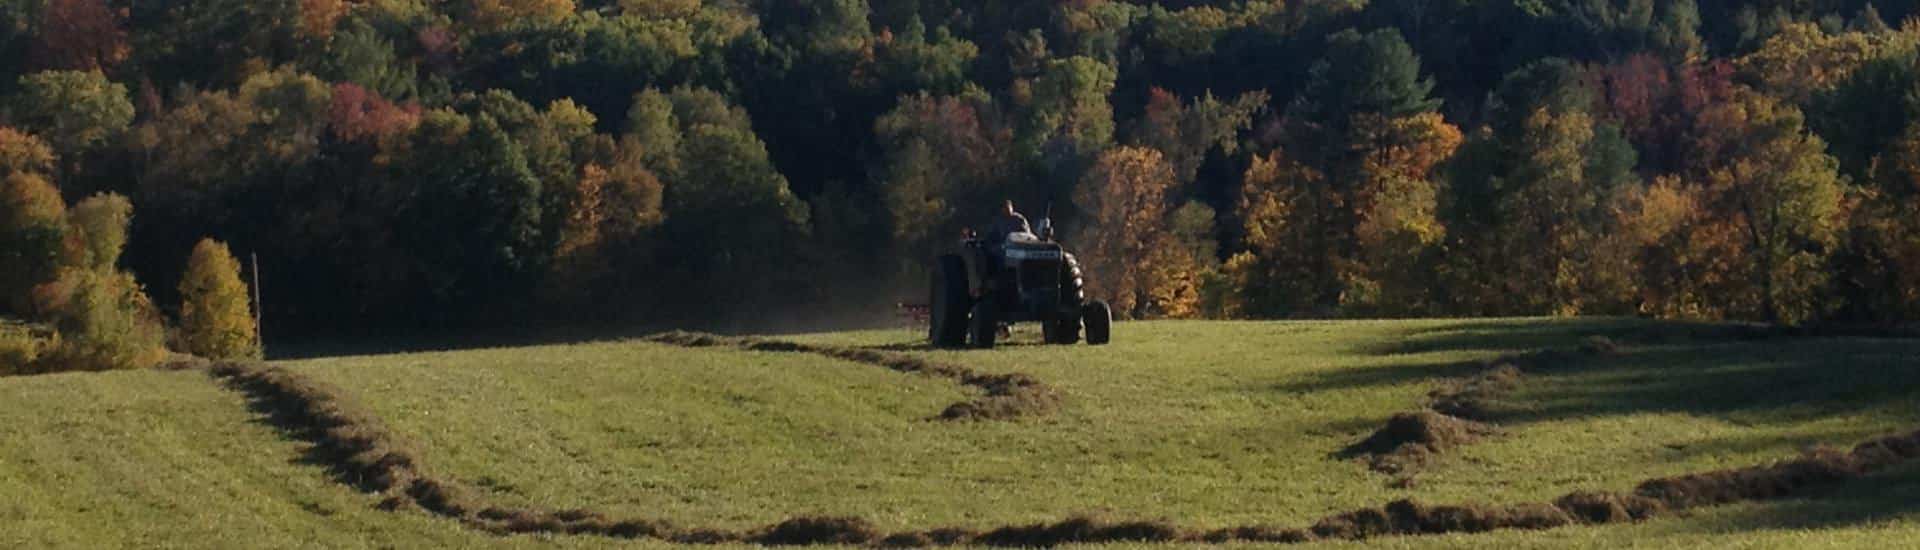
x=172, y=461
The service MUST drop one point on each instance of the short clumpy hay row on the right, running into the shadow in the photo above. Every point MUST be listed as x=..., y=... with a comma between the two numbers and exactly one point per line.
x=1456, y=412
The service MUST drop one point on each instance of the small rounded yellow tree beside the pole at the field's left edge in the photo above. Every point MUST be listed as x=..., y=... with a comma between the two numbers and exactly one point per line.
x=216, y=314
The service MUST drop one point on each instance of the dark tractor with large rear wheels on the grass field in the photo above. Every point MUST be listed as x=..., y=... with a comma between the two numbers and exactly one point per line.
x=1026, y=280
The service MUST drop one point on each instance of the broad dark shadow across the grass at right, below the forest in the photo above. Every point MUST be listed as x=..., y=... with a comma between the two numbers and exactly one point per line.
x=1692, y=370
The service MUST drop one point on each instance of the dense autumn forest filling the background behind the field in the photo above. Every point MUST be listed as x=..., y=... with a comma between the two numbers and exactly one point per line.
x=418, y=166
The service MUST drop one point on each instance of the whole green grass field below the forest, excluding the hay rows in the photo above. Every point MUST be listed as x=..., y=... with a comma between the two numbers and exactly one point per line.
x=1203, y=424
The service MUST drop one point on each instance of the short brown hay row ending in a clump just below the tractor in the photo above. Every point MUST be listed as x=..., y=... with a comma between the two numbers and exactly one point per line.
x=1005, y=397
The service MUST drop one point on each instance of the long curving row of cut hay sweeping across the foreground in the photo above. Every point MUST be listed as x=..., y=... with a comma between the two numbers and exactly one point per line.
x=364, y=453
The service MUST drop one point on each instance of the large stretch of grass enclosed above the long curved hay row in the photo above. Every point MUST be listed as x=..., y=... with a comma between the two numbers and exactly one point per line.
x=1205, y=424
